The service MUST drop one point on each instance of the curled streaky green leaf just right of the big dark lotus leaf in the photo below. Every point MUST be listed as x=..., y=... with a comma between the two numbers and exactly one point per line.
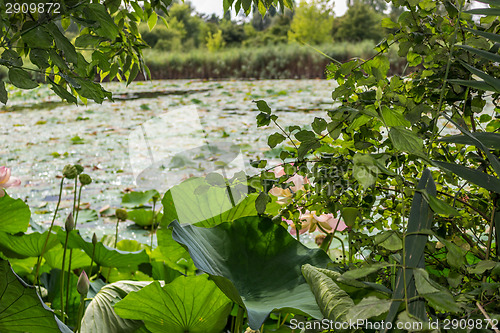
x=333, y=302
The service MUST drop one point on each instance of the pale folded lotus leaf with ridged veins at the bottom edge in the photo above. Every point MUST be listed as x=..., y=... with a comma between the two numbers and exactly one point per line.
x=100, y=316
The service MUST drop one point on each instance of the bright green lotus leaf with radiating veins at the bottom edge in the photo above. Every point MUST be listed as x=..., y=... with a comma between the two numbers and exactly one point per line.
x=188, y=304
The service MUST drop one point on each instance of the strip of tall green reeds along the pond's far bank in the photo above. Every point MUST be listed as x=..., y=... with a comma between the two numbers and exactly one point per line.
x=282, y=61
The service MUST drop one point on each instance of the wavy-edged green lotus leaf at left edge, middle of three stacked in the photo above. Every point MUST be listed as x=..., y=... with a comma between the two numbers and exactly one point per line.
x=26, y=245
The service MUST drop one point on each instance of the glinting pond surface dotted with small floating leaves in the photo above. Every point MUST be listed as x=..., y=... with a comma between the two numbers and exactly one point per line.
x=146, y=122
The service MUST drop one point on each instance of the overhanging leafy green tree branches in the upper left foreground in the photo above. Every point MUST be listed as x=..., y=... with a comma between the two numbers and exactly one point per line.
x=109, y=30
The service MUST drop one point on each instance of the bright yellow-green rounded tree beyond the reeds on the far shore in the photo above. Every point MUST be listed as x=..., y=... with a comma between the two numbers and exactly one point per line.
x=312, y=22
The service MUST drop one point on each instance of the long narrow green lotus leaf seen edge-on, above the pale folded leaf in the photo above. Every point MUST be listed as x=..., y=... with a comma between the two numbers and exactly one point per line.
x=105, y=255
